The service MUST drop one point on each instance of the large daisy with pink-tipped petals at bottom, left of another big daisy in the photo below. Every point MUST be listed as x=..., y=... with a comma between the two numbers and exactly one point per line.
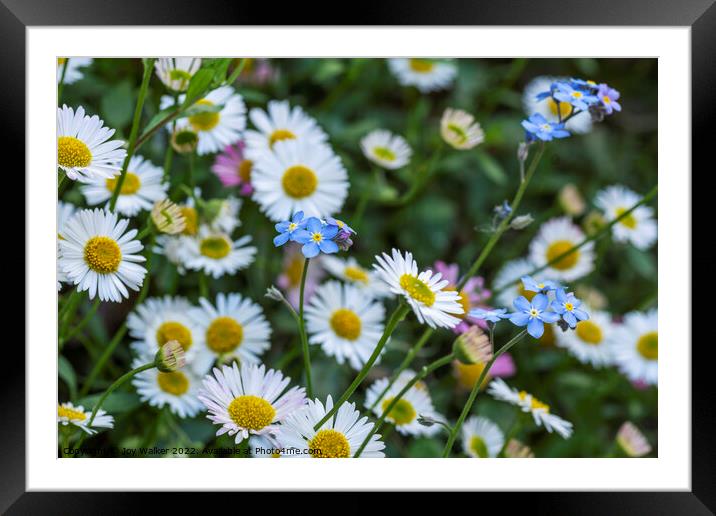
x=249, y=401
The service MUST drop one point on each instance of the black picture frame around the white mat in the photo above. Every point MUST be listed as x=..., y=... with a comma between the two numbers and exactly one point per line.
x=700, y=15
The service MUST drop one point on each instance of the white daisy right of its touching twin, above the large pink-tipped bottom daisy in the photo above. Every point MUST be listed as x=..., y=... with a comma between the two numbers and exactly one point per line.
x=234, y=329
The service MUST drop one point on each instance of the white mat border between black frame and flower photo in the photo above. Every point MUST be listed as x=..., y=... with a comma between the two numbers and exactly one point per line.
x=672, y=470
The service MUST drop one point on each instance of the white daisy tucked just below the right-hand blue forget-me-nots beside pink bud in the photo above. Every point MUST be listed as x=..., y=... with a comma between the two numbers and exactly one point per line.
x=590, y=341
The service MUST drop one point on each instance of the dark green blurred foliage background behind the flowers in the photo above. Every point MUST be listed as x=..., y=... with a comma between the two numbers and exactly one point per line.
x=350, y=97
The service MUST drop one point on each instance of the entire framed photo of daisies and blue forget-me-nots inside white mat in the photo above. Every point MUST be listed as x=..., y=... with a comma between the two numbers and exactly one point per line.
x=281, y=259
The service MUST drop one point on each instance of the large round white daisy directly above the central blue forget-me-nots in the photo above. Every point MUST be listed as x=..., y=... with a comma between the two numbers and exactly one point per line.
x=299, y=176
